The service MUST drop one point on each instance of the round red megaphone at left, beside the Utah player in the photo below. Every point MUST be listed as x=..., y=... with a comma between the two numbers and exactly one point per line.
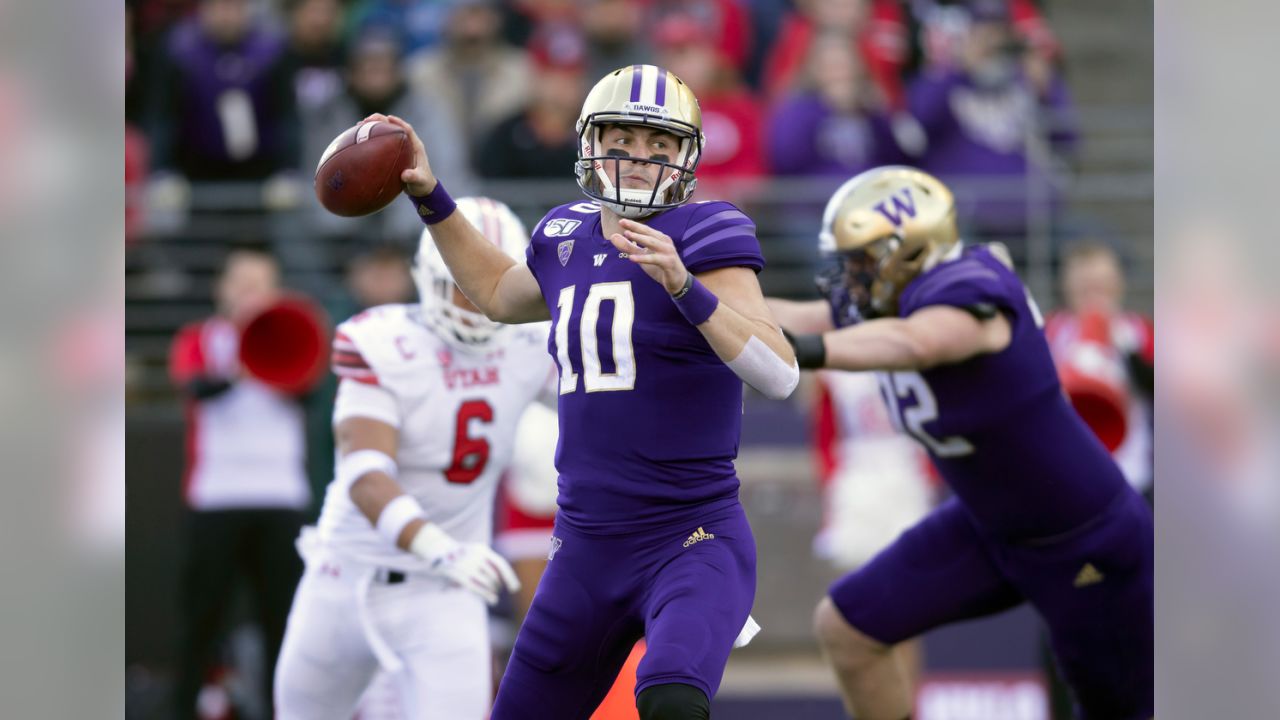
x=287, y=345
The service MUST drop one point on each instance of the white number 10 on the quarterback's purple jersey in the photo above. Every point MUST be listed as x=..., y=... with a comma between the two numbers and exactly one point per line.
x=595, y=379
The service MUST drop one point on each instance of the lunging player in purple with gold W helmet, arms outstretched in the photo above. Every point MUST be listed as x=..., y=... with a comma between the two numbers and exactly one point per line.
x=1040, y=512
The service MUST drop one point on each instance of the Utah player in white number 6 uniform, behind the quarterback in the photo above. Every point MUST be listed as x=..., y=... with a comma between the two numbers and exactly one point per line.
x=399, y=569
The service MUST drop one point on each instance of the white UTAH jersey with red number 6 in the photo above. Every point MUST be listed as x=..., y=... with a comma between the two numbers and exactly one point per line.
x=456, y=412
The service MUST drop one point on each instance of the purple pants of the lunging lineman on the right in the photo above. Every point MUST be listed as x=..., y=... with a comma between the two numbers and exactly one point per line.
x=1101, y=622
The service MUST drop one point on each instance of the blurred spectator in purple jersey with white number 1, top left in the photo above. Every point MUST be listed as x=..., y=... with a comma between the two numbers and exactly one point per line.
x=221, y=102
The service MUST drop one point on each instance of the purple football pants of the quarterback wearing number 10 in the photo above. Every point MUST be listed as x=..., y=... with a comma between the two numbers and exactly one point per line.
x=602, y=594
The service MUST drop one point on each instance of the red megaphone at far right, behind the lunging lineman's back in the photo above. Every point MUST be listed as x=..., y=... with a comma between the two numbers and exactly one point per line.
x=1094, y=379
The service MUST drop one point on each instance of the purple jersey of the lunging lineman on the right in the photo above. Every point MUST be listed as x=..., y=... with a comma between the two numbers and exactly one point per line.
x=999, y=427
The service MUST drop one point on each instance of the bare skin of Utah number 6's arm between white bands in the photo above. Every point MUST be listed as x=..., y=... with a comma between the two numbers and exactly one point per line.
x=373, y=490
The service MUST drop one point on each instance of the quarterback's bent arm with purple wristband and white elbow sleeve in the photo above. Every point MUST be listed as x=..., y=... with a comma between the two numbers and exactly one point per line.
x=740, y=329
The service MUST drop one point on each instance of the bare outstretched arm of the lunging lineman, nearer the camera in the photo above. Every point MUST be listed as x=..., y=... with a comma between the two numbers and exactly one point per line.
x=938, y=335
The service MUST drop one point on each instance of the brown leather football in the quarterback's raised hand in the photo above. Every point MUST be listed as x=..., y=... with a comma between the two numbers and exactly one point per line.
x=359, y=174
